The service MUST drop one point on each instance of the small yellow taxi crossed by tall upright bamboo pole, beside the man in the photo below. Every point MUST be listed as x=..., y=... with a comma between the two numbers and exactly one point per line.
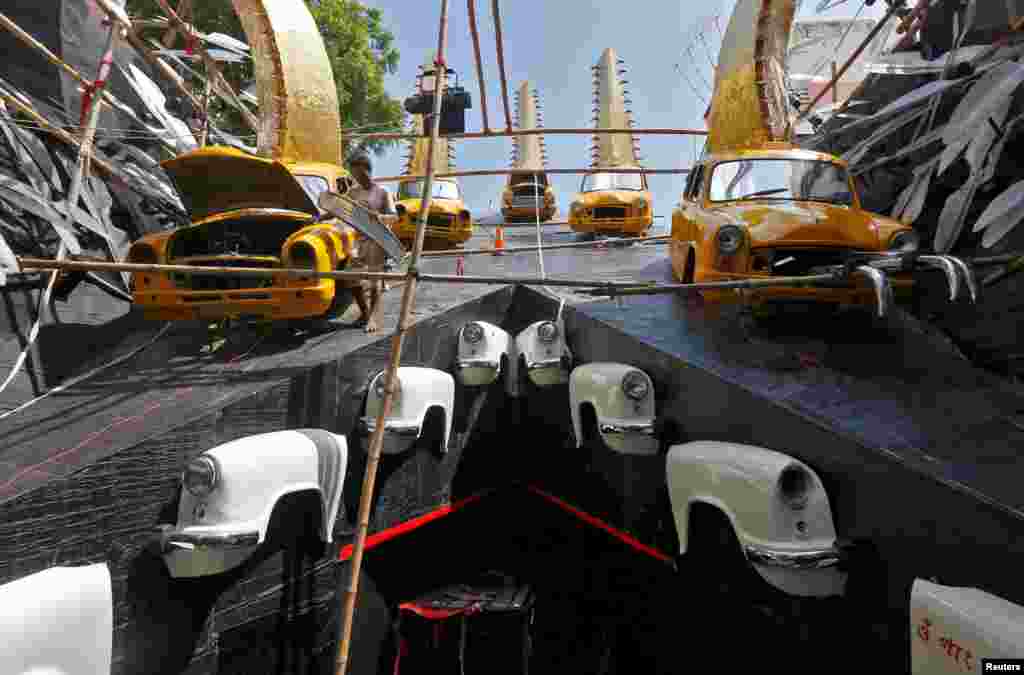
x=449, y=224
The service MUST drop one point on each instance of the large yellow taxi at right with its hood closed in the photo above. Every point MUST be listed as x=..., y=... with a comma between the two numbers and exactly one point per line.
x=780, y=212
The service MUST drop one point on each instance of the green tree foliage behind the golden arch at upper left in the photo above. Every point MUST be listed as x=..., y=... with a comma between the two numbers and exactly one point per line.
x=361, y=49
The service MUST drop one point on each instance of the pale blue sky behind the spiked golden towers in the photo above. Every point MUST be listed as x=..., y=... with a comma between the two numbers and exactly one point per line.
x=554, y=46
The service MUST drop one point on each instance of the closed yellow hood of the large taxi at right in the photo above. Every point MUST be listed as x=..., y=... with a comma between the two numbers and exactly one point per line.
x=773, y=224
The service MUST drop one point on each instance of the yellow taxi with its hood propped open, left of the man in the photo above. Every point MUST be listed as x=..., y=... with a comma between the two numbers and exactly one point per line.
x=246, y=212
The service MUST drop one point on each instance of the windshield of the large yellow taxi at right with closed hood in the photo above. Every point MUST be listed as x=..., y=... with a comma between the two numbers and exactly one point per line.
x=814, y=181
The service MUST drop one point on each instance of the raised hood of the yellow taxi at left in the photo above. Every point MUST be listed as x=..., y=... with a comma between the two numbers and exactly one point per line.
x=214, y=181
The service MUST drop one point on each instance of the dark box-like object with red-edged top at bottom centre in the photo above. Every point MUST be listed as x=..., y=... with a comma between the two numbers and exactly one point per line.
x=464, y=629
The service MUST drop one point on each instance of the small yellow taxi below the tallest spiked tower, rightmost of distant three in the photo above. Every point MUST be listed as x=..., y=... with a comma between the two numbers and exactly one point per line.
x=612, y=203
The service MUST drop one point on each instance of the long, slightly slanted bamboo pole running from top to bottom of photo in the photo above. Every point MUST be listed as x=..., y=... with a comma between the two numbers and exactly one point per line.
x=405, y=316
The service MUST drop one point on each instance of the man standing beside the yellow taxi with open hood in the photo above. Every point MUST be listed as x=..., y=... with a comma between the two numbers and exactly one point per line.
x=371, y=257
